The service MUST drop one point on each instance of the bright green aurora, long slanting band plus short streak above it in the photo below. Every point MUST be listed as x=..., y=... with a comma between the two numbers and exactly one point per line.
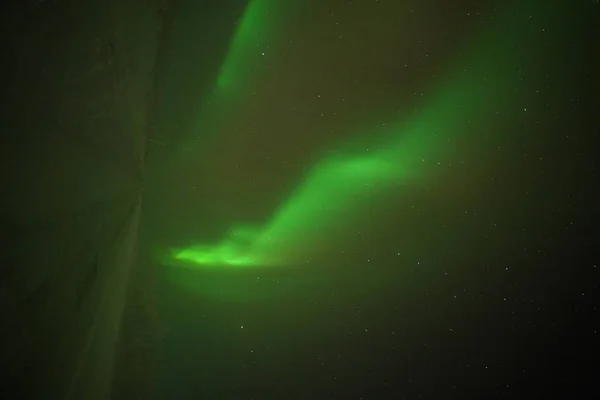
x=340, y=186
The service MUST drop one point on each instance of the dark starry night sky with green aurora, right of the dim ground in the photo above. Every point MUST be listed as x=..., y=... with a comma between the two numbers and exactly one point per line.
x=375, y=199
